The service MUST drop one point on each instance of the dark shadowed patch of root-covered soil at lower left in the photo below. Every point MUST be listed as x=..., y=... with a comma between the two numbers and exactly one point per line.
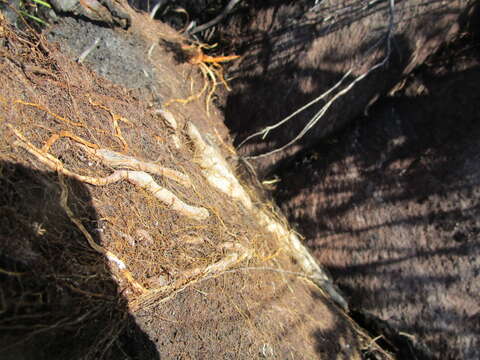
x=58, y=296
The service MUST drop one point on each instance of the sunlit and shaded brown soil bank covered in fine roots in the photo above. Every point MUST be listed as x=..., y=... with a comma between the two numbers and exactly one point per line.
x=126, y=234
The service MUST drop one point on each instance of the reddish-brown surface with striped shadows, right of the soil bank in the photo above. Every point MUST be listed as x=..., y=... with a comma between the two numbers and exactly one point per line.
x=391, y=206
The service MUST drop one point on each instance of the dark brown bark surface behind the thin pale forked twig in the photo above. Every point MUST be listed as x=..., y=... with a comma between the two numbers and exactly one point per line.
x=294, y=51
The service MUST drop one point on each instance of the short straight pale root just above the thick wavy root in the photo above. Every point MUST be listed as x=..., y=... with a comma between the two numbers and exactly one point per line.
x=115, y=159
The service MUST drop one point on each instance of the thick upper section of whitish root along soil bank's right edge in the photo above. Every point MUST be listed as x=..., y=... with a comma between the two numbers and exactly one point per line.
x=215, y=169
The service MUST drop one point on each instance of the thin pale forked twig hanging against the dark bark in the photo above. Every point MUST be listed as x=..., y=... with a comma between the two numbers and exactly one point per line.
x=325, y=107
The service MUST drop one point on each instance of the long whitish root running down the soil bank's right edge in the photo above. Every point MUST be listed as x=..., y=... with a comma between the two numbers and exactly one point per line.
x=219, y=174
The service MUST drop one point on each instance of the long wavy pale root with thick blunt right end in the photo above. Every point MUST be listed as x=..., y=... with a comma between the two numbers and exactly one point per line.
x=138, y=178
